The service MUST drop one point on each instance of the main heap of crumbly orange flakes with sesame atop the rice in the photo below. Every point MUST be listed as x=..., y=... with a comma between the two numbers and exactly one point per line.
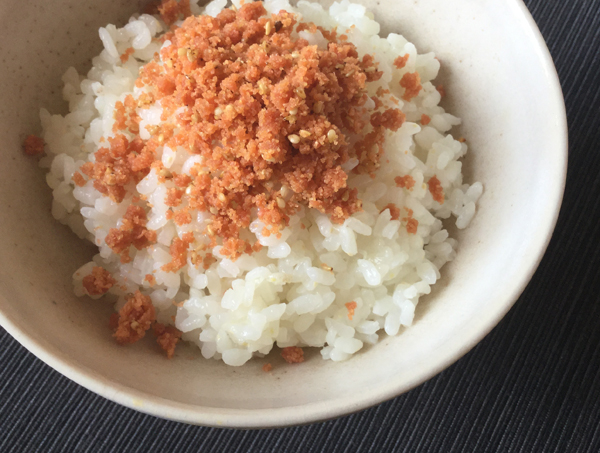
x=271, y=117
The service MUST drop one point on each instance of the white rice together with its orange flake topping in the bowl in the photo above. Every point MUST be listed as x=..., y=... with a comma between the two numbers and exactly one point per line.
x=258, y=175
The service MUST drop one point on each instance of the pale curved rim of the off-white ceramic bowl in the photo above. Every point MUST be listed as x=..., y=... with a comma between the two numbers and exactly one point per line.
x=325, y=410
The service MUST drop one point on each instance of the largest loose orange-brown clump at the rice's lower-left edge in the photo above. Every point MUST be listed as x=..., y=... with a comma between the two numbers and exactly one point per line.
x=135, y=318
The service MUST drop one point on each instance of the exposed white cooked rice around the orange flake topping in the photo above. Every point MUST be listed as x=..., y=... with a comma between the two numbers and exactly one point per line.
x=332, y=286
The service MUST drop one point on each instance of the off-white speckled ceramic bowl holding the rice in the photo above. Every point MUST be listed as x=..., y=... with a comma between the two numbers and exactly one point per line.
x=500, y=80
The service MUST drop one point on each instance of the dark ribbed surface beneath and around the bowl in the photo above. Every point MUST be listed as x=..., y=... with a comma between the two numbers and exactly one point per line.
x=532, y=385
